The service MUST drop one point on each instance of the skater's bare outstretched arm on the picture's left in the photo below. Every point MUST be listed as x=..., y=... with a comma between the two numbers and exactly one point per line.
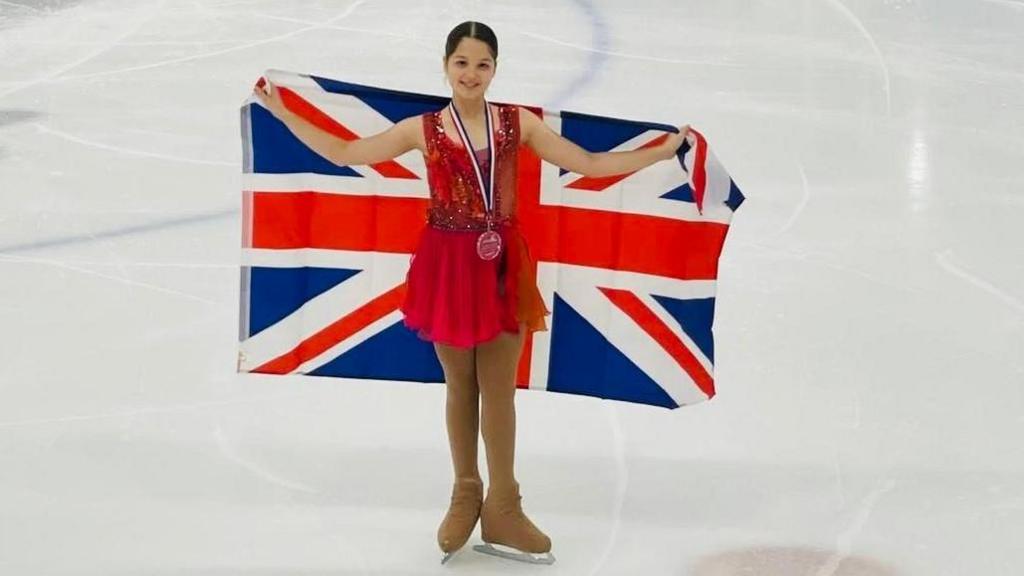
x=388, y=145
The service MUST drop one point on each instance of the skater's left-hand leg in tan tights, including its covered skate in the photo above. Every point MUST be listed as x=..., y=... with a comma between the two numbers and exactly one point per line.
x=462, y=417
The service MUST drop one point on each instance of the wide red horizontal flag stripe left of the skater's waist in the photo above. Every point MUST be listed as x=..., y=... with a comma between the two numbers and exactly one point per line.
x=312, y=220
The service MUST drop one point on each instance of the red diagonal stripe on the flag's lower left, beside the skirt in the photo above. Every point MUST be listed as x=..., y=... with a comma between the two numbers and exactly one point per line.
x=336, y=333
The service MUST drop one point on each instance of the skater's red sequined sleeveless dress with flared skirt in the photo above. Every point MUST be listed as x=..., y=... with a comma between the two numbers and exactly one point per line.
x=453, y=296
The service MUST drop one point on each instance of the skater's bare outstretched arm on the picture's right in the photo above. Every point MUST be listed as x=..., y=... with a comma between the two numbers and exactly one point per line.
x=566, y=154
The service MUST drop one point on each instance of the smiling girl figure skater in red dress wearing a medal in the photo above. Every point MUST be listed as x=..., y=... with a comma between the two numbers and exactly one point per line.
x=472, y=290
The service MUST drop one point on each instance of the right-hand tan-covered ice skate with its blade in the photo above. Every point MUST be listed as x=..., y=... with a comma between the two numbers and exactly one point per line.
x=508, y=533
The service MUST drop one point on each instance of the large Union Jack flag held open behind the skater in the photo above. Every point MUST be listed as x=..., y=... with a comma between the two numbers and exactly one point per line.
x=627, y=264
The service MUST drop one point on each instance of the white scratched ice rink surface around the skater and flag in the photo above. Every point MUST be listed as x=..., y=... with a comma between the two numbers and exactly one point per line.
x=871, y=310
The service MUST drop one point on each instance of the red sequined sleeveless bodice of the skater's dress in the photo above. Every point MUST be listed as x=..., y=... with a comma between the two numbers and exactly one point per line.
x=455, y=198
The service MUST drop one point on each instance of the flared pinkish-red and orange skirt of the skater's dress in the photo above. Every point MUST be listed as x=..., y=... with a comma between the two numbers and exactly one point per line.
x=456, y=298
